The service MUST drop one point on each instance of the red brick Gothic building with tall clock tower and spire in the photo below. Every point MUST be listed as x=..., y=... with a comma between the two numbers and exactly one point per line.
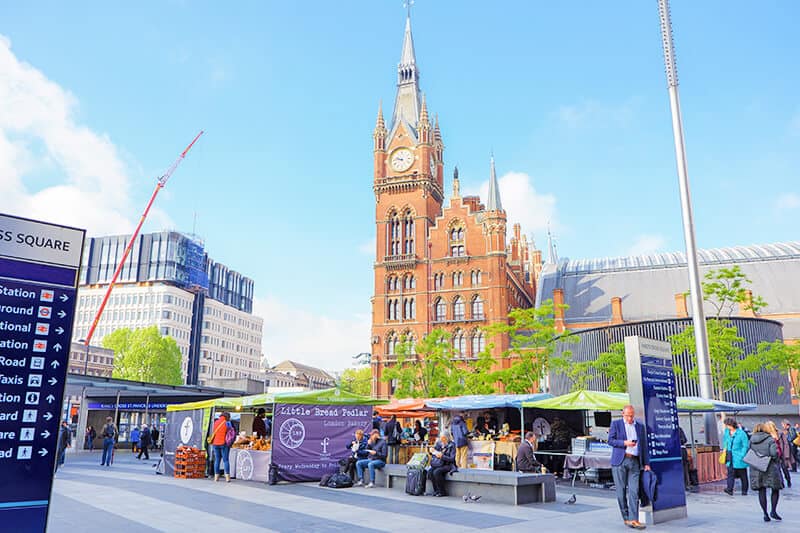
x=439, y=262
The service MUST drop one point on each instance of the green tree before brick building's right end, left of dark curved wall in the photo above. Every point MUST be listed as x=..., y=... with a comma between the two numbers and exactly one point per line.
x=533, y=337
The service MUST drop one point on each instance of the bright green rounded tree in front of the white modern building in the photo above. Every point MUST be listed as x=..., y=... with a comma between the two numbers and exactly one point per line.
x=144, y=355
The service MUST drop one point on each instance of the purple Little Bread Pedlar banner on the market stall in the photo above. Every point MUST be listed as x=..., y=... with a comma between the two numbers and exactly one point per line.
x=309, y=440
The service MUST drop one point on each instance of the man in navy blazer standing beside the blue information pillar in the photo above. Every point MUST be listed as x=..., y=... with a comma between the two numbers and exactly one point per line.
x=628, y=457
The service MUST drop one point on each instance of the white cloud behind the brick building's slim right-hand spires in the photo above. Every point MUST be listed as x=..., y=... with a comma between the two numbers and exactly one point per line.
x=523, y=204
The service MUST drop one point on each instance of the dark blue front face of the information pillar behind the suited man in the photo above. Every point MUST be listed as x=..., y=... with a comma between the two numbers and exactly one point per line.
x=663, y=434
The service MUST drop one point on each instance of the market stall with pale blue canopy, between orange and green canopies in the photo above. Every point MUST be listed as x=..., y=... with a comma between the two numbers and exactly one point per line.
x=500, y=414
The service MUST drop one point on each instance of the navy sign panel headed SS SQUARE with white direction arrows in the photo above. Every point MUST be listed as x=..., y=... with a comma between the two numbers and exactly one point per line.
x=39, y=265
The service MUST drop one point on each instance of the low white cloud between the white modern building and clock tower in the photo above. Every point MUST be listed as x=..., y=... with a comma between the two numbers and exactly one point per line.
x=306, y=337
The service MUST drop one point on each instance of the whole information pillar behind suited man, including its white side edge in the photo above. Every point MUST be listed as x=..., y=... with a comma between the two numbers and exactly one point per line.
x=651, y=384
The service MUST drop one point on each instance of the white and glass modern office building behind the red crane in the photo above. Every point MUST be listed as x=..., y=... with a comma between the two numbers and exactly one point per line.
x=169, y=281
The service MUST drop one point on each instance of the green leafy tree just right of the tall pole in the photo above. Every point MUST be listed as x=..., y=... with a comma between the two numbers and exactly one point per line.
x=724, y=289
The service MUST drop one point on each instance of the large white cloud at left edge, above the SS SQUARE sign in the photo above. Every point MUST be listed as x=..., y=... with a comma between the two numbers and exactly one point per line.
x=51, y=167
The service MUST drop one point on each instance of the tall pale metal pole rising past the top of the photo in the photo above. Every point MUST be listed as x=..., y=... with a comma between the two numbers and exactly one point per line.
x=695, y=289
